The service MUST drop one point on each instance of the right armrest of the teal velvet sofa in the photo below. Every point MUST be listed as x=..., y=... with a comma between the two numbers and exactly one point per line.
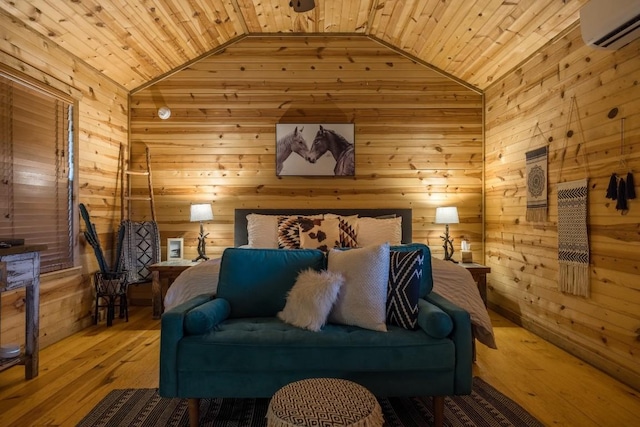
x=461, y=336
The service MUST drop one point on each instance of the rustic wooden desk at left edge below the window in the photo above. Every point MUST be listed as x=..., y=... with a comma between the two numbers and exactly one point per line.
x=20, y=268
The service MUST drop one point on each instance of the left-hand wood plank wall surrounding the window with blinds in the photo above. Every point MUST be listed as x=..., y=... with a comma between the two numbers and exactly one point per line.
x=67, y=298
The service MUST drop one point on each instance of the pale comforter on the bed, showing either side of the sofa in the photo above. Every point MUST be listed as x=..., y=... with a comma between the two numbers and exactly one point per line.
x=449, y=280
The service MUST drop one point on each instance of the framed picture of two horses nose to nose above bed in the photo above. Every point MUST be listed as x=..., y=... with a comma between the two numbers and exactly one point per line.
x=304, y=149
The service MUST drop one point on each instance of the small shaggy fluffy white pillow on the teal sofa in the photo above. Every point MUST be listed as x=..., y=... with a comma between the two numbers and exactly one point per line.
x=311, y=298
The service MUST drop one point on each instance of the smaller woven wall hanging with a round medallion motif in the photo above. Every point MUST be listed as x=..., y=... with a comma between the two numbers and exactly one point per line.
x=537, y=184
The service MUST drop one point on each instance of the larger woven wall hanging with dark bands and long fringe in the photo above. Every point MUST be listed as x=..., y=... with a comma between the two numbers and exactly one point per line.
x=573, y=239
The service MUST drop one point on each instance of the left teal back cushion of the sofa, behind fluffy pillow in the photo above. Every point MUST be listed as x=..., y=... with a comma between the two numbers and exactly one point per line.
x=255, y=282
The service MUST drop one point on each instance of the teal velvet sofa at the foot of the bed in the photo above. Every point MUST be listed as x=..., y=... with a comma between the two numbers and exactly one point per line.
x=234, y=345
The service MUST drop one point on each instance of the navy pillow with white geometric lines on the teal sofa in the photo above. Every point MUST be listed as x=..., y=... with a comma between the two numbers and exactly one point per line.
x=405, y=273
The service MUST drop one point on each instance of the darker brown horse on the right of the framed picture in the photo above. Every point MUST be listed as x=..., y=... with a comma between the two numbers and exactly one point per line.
x=341, y=150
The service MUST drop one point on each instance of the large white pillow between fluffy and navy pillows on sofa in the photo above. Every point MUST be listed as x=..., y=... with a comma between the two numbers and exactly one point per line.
x=363, y=298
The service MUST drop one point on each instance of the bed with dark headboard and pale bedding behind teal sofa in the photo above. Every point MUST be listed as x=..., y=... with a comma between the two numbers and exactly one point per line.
x=254, y=228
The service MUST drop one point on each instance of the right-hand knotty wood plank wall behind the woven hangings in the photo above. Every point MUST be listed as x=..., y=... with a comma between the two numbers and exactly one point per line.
x=603, y=329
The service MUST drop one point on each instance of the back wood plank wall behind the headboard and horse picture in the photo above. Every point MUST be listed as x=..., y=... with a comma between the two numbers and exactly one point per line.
x=418, y=136
